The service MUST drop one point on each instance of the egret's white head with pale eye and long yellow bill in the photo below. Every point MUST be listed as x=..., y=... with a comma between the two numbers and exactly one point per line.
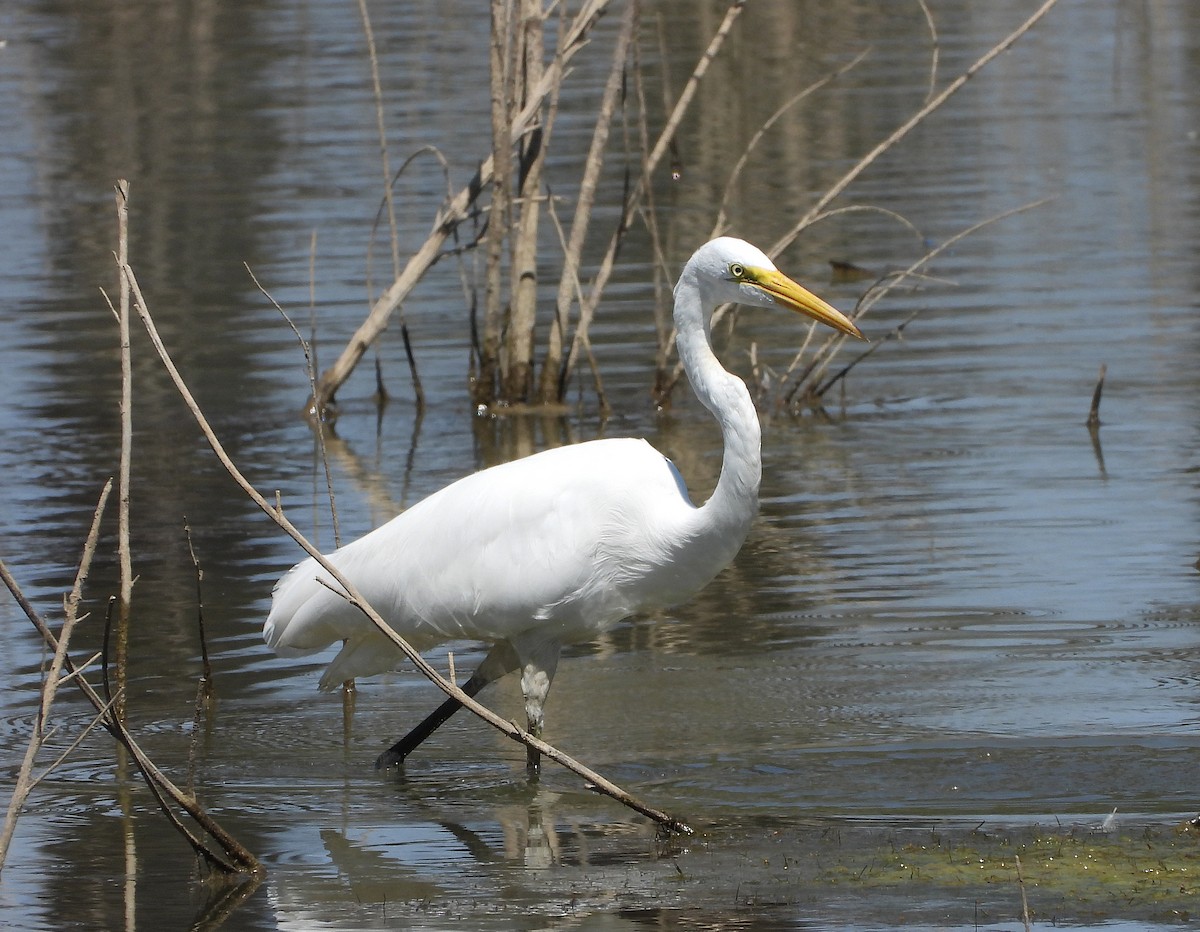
x=729, y=269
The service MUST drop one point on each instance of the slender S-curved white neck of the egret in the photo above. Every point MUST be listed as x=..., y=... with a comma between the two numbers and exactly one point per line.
x=735, y=502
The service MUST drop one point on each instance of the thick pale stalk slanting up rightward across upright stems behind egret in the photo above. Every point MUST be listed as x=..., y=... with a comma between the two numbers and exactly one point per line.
x=451, y=217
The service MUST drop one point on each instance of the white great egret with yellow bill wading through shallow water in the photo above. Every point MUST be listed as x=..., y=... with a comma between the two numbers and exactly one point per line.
x=557, y=548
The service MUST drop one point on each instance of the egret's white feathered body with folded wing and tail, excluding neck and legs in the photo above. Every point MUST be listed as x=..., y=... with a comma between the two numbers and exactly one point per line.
x=581, y=536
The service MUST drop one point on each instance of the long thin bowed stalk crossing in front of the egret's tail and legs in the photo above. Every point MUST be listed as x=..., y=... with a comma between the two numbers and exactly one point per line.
x=355, y=598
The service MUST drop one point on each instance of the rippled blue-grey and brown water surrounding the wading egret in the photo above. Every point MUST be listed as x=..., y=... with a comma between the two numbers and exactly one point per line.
x=955, y=610
